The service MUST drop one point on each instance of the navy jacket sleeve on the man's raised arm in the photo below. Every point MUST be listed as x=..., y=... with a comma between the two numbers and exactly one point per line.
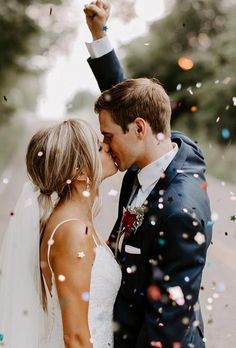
x=107, y=70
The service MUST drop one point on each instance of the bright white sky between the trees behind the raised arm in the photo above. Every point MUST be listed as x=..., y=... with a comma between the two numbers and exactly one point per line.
x=70, y=71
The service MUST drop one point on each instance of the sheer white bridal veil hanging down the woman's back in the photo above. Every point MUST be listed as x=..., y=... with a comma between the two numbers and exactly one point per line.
x=21, y=315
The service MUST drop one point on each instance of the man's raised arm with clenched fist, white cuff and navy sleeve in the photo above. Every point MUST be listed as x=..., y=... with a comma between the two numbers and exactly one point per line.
x=103, y=60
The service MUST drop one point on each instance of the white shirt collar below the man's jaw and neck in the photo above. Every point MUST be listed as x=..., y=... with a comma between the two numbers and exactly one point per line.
x=152, y=172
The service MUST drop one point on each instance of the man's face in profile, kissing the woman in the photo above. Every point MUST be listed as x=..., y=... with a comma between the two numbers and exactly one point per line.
x=123, y=146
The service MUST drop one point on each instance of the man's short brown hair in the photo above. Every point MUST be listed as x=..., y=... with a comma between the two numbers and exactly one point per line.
x=134, y=98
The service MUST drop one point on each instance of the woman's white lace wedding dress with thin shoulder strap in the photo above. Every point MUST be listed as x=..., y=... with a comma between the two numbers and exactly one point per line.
x=105, y=283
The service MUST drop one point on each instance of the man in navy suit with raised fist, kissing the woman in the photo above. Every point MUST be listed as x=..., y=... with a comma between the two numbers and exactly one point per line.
x=161, y=239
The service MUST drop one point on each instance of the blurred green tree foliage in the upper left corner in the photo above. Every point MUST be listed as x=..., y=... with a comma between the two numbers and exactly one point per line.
x=28, y=30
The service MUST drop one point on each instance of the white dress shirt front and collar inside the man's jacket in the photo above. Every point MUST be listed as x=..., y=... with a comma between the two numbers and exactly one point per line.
x=150, y=175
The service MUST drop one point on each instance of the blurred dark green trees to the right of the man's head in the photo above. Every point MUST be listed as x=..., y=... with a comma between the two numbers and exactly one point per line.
x=204, y=33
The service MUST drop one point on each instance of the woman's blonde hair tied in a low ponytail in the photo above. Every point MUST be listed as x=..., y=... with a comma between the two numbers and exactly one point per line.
x=54, y=155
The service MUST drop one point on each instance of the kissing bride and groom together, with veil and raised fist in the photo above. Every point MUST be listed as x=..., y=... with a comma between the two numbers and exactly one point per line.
x=61, y=284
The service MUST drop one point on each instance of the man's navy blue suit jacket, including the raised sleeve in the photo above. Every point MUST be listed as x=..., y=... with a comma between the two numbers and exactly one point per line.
x=173, y=238
